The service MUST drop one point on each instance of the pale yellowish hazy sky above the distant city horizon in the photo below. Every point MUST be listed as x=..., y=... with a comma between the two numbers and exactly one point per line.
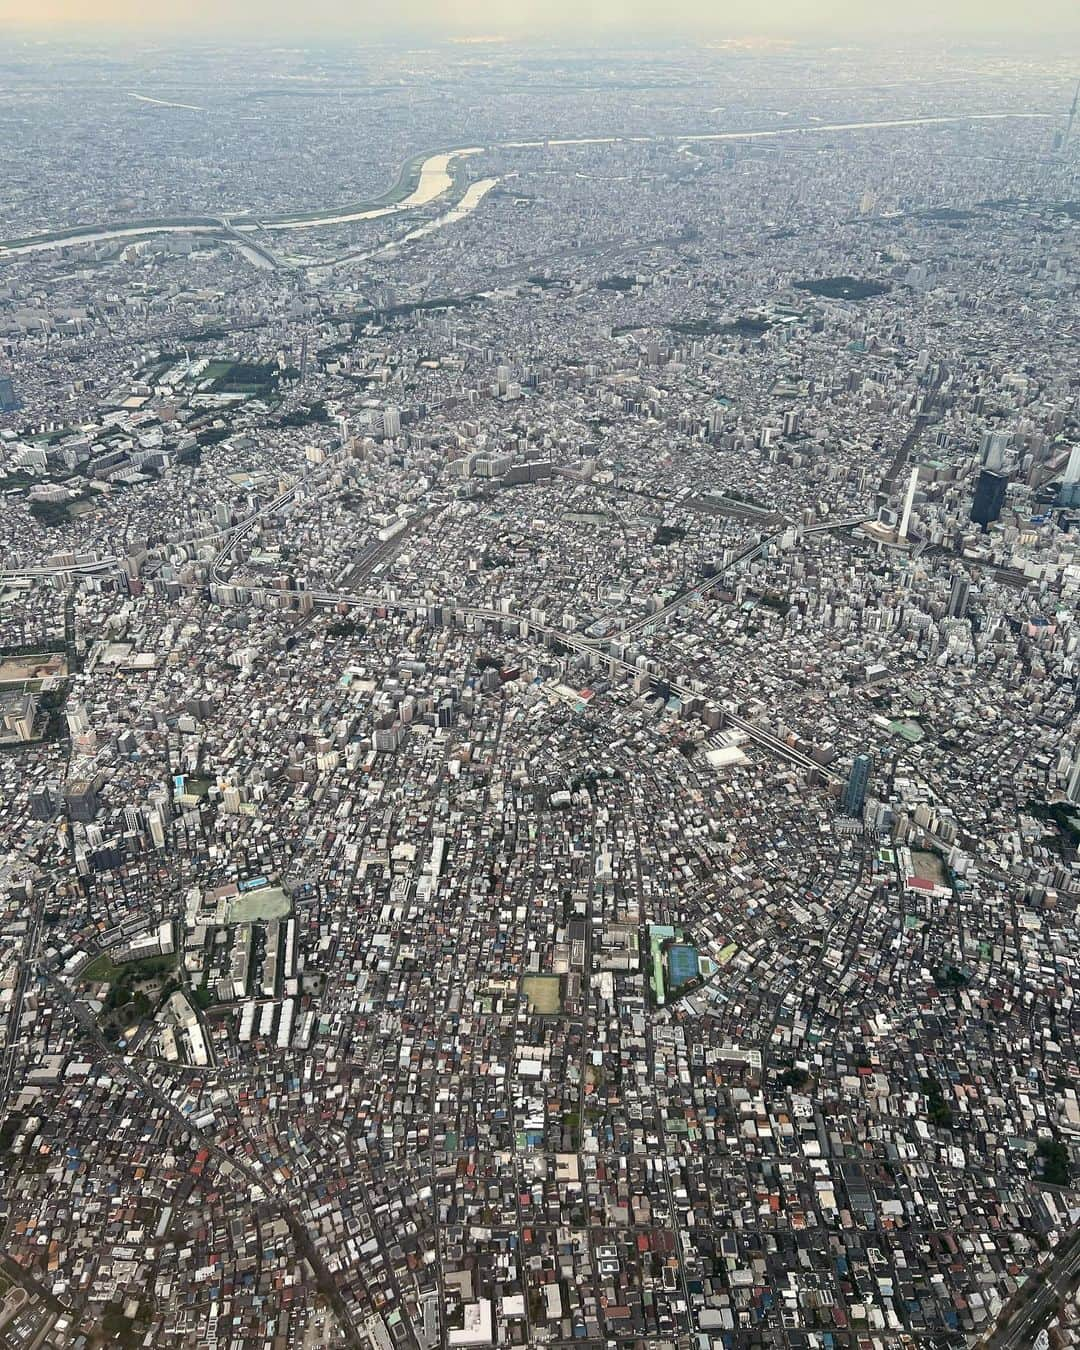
x=722, y=18
